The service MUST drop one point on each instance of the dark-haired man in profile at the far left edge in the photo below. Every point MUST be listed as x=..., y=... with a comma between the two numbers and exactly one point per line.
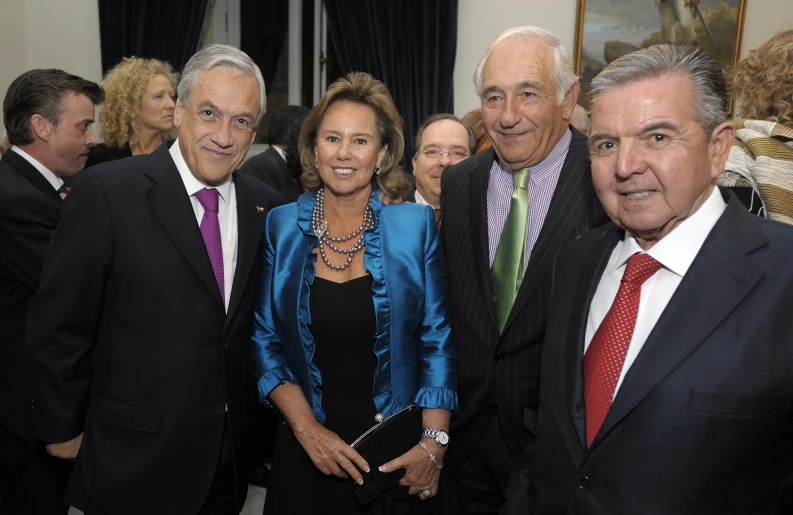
x=48, y=116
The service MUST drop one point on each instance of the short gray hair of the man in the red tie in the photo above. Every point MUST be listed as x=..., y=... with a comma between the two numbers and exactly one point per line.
x=670, y=59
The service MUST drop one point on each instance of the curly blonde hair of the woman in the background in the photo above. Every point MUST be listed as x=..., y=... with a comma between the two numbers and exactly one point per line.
x=124, y=86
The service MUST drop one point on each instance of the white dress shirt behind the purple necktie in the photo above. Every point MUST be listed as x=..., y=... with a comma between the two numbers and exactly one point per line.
x=227, y=215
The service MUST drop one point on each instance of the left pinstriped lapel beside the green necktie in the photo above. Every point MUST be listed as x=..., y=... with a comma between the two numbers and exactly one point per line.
x=480, y=178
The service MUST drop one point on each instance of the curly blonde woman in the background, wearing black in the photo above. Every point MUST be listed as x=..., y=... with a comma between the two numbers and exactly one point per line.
x=137, y=115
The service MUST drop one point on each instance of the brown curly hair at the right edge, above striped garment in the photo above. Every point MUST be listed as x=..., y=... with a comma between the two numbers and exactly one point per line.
x=763, y=80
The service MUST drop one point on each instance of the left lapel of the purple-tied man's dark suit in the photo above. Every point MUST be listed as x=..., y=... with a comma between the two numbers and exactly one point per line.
x=171, y=205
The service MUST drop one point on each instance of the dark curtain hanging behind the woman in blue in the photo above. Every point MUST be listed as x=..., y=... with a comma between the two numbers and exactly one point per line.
x=410, y=45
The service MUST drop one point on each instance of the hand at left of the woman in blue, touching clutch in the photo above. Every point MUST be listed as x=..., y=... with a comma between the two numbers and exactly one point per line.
x=330, y=454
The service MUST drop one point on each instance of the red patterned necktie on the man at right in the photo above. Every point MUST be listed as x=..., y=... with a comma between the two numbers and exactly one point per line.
x=606, y=353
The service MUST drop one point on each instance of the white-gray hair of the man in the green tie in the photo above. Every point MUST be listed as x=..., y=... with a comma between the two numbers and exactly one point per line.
x=563, y=75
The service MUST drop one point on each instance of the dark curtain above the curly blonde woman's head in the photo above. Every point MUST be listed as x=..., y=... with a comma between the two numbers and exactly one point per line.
x=168, y=30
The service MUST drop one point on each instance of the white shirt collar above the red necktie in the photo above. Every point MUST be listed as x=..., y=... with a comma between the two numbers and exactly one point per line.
x=677, y=250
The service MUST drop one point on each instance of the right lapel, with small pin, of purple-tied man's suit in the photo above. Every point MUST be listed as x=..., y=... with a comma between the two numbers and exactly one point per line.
x=250, y=224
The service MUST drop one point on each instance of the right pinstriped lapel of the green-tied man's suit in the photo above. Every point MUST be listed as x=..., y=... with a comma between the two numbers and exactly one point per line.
x=570, y=198
